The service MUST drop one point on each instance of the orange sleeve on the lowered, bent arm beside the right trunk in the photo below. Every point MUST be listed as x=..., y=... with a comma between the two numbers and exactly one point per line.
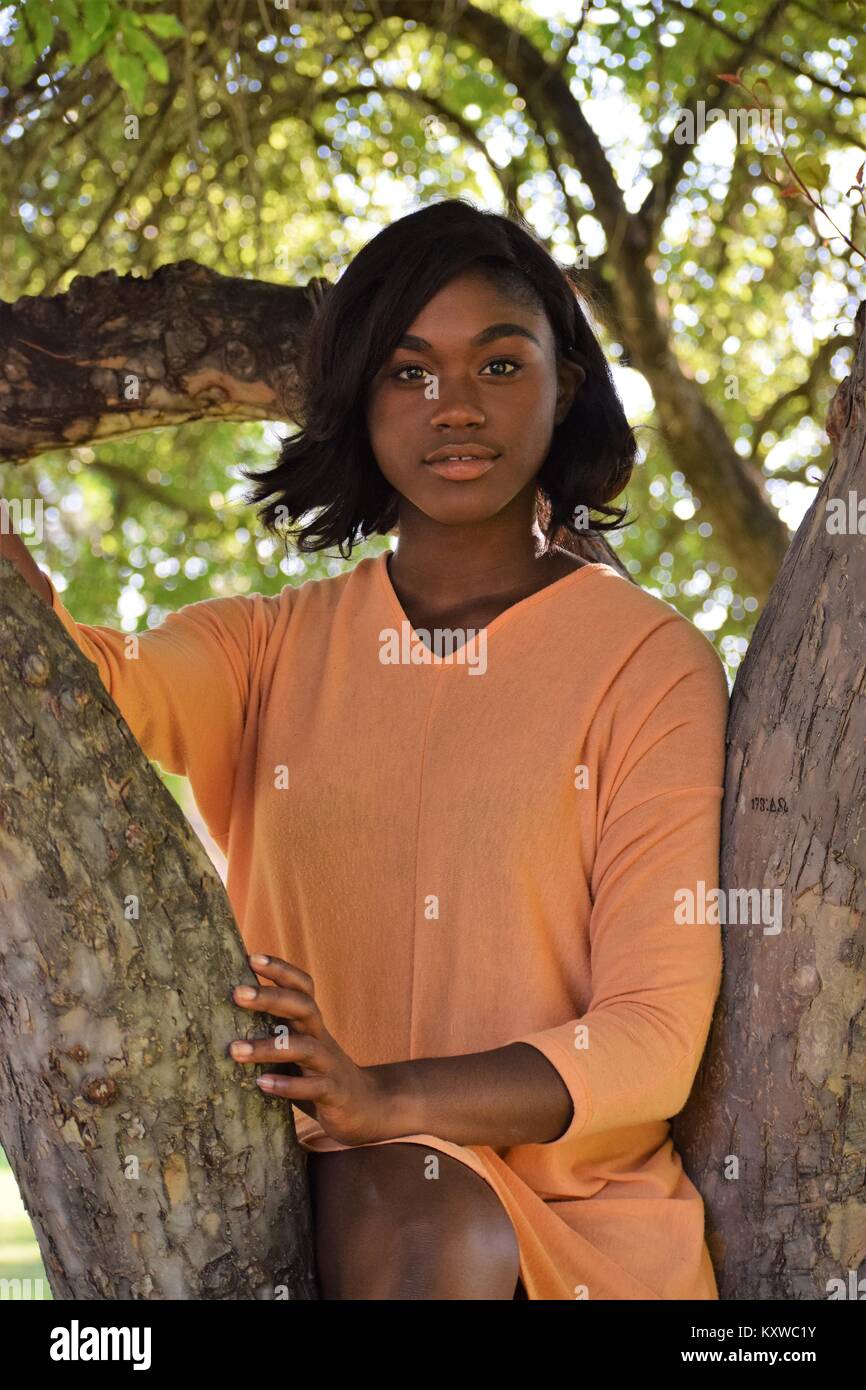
x=632, y=1058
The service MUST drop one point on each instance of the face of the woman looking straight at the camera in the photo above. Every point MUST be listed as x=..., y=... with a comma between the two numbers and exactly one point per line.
x=476, y=373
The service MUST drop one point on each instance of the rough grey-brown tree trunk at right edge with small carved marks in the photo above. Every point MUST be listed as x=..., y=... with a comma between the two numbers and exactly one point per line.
x=782, y=1089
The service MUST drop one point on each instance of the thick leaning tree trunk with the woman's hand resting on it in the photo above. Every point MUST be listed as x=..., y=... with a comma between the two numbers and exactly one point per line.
x=149, y=1161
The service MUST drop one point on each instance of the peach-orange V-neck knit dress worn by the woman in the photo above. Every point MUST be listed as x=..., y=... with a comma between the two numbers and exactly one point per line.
x=465, y=858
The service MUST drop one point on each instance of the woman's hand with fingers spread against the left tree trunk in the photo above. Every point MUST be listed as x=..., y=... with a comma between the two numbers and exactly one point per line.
x=347, y=1100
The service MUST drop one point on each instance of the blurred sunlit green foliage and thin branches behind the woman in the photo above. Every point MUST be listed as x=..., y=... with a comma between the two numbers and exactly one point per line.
x=272, y=141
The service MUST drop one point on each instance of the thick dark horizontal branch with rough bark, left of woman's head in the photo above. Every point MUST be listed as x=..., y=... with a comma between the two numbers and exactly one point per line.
x=119, y=355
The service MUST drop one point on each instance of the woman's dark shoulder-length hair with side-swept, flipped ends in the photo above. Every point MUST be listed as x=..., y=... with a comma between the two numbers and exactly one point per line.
x=327, y=483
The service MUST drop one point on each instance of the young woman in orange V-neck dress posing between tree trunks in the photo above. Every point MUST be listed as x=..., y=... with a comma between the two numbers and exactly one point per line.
x=465, y=790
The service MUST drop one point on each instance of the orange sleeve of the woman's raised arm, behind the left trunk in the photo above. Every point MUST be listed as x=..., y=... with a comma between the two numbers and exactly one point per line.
x=184, y=687
